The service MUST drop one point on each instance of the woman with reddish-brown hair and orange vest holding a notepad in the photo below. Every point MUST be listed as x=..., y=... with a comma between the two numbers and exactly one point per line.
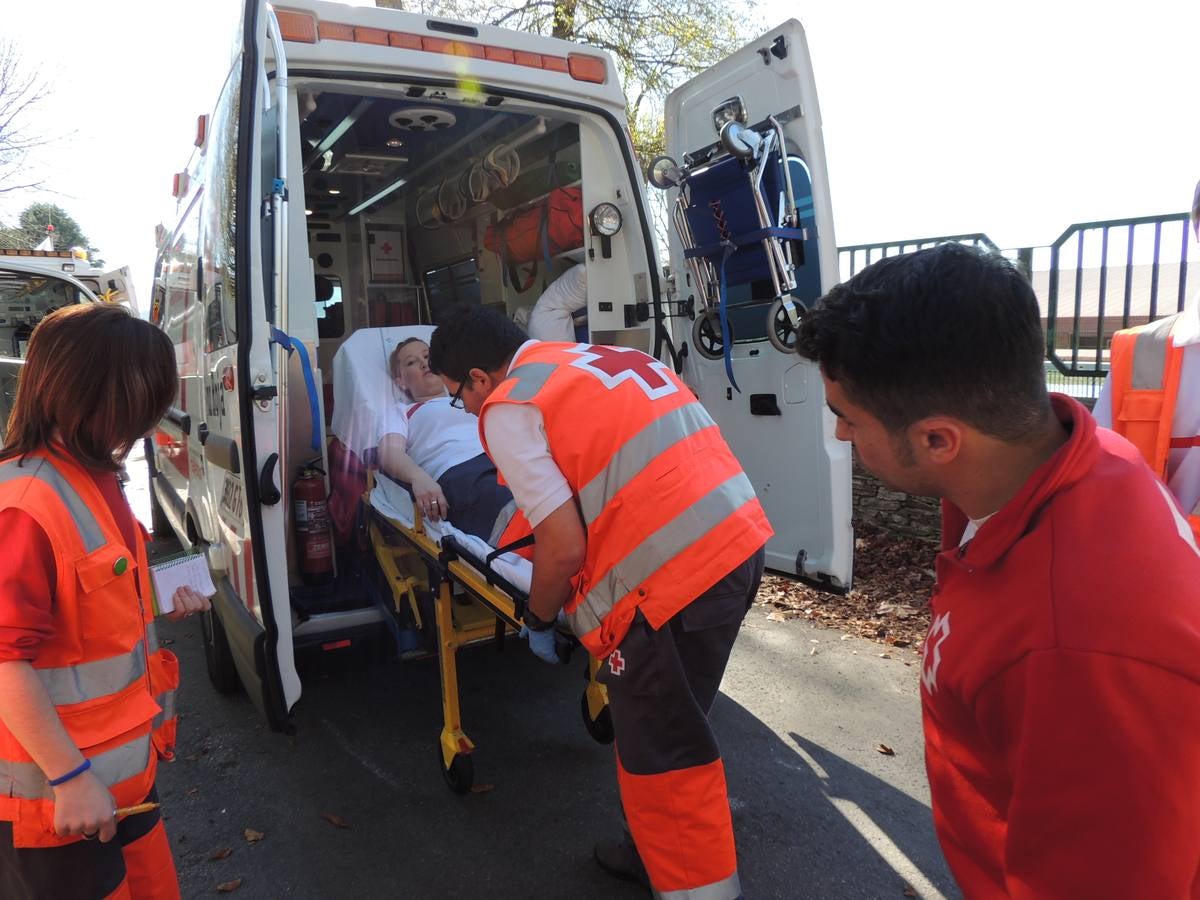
x=86, y=694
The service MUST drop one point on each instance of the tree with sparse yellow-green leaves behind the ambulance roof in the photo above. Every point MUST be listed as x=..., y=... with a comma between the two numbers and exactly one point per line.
x=656, y=44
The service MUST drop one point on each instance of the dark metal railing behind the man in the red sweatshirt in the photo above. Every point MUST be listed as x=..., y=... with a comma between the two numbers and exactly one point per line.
x=1096, y=279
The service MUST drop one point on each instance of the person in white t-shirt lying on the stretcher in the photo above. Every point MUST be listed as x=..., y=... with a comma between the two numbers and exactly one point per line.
x=434, y=446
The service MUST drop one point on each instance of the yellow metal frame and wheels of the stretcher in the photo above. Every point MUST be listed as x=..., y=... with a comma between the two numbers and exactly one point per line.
x=493, y=615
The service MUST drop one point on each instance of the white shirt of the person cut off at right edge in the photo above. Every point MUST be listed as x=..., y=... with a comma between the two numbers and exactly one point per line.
x=1183, y=465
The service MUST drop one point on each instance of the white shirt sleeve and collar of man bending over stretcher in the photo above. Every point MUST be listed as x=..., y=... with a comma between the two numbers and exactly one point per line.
x=517, y=441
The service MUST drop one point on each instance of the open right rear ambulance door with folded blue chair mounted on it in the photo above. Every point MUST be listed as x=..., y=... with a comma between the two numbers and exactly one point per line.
x=778, y=425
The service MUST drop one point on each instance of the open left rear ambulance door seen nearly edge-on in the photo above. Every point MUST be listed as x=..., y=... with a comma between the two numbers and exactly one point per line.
x=262, y=644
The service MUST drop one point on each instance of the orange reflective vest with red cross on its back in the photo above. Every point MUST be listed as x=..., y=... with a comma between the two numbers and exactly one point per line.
x=668, y=509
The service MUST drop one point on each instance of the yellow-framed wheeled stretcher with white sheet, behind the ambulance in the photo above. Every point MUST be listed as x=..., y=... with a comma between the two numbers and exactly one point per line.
x=435, y=580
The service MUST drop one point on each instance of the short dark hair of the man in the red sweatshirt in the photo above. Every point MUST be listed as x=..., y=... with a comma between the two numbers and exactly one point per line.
x=947, y=331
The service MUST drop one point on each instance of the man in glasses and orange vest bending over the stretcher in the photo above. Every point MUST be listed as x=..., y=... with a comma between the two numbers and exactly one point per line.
x=650, y=536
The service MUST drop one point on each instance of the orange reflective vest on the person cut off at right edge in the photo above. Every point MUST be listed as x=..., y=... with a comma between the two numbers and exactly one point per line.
x=1145, y=368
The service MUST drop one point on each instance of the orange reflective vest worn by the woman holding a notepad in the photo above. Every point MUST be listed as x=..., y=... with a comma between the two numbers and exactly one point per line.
x=111, y=685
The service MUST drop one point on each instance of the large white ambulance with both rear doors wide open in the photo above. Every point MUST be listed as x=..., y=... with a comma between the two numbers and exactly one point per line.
x=346, y=183
